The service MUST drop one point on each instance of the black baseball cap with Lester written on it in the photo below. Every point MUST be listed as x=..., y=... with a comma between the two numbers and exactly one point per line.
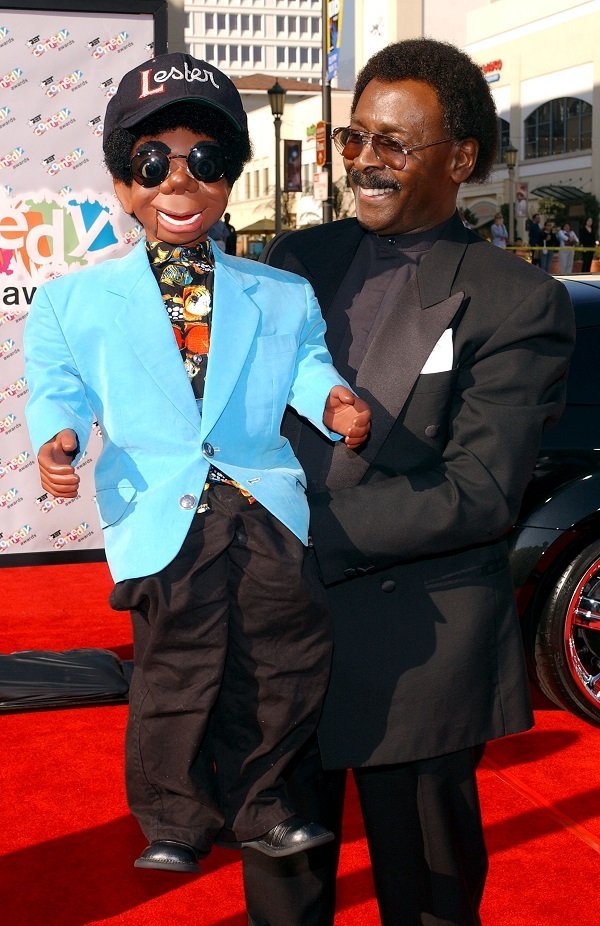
x=173, y=78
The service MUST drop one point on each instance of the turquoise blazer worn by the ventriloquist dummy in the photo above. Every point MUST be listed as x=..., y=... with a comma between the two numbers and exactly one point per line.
x=99, y=346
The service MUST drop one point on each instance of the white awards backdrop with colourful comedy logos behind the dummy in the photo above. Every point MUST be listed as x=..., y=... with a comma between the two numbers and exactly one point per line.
x=58, y=70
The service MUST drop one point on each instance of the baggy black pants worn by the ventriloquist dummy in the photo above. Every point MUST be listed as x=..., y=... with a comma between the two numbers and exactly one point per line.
x=232, y=647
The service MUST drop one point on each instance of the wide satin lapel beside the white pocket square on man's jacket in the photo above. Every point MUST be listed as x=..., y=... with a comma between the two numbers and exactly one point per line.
x=410, y=332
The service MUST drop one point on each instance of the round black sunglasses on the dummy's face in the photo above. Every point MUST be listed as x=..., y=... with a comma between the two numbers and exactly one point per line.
x=151, y=164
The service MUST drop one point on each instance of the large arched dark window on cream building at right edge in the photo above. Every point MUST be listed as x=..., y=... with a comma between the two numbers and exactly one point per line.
x=560, y=126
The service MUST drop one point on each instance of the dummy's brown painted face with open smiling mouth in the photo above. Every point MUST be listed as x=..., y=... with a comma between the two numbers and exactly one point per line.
x=180, y=208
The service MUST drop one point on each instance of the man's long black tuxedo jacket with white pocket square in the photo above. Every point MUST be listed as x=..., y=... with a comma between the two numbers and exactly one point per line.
x=409, y=532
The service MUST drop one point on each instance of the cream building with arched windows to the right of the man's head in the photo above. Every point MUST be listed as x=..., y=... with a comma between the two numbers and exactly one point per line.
x=543, y=65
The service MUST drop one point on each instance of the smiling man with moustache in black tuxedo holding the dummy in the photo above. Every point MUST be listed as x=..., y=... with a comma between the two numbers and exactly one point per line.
x=461, y=352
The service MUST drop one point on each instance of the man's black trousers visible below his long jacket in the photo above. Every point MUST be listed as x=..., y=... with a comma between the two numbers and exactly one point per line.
x=425, y=838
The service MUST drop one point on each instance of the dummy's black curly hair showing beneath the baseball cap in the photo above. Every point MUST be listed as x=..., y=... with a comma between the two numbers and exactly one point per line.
x=204, y=120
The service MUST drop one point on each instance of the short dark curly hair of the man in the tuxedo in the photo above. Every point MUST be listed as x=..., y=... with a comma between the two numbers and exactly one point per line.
x=467, y=104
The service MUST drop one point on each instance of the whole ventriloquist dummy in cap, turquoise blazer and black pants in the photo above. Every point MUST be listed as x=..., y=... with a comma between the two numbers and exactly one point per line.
x=187, y=361
